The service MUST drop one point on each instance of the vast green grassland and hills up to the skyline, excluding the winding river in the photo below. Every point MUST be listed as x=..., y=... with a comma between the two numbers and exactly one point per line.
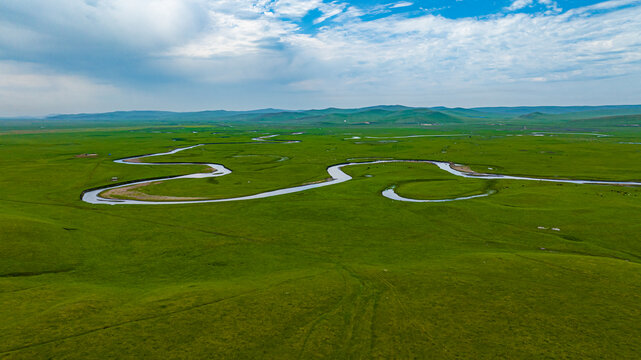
x=336, y=272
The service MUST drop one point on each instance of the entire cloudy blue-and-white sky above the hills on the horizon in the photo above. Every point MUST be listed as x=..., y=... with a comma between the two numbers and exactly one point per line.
x=73, y=56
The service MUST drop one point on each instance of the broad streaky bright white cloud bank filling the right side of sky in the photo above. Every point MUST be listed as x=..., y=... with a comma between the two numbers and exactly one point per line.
x=402, y=55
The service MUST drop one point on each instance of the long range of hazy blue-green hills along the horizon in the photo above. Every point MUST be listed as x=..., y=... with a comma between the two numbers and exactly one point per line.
x=374, y=116
